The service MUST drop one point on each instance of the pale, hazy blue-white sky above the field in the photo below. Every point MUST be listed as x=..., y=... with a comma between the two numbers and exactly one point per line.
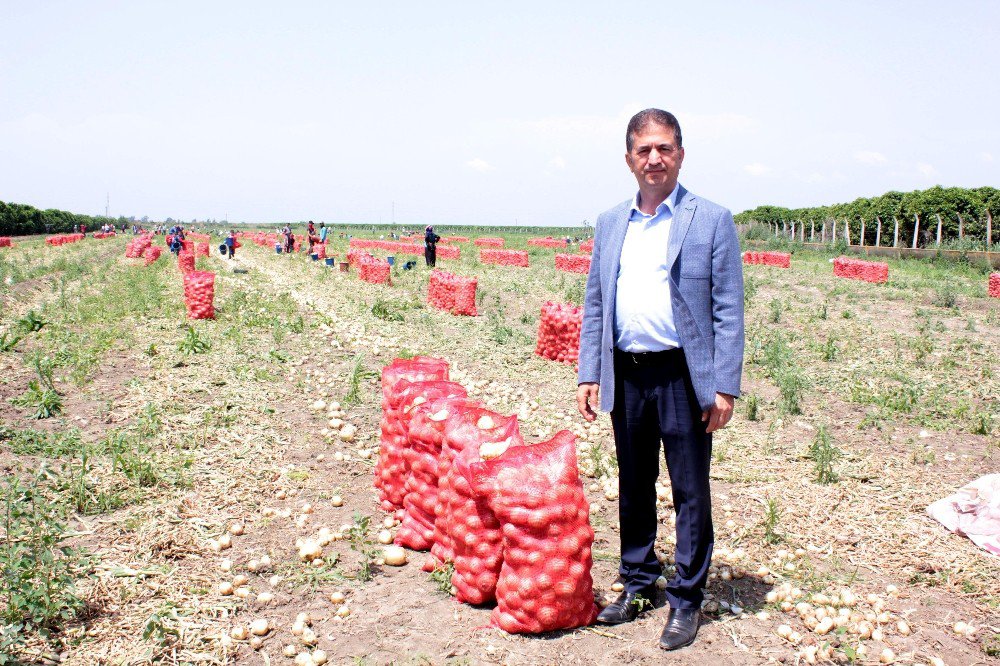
x=490, y=113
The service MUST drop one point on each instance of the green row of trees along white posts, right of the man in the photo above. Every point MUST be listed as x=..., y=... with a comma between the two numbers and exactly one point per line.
x=963, y=211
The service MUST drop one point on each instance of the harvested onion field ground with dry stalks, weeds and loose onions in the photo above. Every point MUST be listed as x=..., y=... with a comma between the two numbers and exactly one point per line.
x=182, y=461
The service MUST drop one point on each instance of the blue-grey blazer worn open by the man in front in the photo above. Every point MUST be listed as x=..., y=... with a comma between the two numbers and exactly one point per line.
x=706, y=295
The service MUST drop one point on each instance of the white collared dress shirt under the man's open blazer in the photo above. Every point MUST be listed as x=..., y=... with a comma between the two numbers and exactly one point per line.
x=644, y=320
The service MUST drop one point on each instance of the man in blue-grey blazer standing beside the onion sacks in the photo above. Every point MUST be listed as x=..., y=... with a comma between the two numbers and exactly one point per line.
x=661, y=348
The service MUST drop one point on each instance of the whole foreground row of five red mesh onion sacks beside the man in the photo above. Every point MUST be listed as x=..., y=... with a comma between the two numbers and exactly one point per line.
x=513, y=519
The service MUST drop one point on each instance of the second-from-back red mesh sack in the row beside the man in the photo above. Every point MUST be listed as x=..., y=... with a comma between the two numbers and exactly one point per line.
x=393, y=470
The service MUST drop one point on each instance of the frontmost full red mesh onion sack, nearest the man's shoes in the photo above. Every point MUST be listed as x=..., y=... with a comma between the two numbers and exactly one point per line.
x=535, y=491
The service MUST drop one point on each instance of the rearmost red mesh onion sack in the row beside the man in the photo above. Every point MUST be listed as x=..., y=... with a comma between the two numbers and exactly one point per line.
x=394, y=378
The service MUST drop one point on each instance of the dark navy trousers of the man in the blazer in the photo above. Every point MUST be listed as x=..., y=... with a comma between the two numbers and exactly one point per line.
x=654, y=403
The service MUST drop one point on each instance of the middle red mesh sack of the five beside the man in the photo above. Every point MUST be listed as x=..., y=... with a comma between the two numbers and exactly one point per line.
x=425, y=434
